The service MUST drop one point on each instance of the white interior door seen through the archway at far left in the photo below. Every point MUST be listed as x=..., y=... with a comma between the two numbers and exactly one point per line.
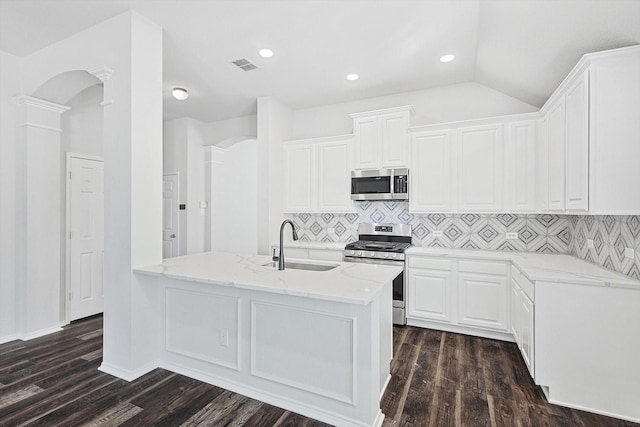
x=86, y=234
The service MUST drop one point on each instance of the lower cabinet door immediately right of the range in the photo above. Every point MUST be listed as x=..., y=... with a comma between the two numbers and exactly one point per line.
x=430, y=295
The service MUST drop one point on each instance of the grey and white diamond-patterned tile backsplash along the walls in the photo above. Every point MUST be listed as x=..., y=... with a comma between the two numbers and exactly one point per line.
x=545, y=233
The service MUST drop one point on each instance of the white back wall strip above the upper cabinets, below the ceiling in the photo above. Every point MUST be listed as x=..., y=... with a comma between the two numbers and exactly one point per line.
x=463, y=101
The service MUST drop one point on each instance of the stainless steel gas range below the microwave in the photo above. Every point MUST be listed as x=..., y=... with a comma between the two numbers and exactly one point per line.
x=383, y=244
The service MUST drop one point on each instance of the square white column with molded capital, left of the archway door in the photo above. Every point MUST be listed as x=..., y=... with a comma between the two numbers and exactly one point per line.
x=38, y=217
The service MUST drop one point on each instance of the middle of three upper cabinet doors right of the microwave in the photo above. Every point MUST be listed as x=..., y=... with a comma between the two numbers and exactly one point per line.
x=480, y=168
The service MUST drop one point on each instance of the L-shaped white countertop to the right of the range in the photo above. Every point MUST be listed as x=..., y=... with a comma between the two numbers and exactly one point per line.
x=556, y=268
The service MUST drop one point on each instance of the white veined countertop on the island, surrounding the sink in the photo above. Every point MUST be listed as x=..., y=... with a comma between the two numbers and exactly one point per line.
x=352, y=283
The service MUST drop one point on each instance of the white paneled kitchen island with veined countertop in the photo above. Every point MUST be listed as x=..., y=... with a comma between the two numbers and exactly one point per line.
x=318, y=343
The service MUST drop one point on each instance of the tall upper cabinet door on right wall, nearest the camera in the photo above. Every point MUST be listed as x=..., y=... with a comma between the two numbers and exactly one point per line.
x=577, y=144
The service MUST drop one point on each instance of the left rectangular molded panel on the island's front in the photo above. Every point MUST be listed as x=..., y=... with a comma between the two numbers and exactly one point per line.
x=203, y=326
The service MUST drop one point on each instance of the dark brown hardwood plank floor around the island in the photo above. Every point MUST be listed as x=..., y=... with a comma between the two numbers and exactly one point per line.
x=438, y=379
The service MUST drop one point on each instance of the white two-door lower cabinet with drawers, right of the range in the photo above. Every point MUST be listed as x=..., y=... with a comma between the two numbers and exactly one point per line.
x=458, y=295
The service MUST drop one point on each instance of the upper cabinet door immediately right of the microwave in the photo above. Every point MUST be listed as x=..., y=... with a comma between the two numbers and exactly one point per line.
x=431, y=172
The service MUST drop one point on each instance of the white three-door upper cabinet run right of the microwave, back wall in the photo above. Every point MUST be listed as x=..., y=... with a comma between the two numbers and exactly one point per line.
x=486, y=165
